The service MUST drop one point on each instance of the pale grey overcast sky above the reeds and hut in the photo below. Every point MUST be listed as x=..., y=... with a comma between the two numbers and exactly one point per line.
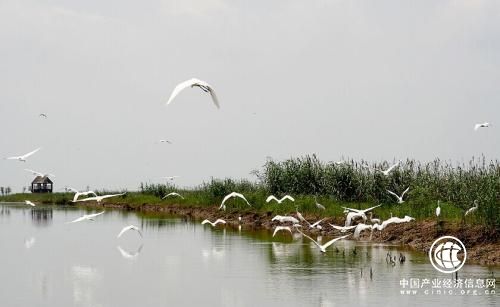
x=374, y=80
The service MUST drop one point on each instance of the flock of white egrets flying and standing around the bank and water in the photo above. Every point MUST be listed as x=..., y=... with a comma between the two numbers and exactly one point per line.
x=294, y=223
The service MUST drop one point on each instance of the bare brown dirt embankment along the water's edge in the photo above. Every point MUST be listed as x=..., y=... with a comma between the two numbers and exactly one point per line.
x=483, y=244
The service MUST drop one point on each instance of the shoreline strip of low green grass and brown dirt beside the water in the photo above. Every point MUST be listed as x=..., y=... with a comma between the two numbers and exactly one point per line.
x=483, y=242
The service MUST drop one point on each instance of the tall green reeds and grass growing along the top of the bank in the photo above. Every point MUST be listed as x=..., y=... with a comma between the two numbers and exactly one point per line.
x=336, y=185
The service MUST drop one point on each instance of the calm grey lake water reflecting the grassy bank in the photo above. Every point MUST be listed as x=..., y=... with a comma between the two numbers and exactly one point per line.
x=45, y=262
